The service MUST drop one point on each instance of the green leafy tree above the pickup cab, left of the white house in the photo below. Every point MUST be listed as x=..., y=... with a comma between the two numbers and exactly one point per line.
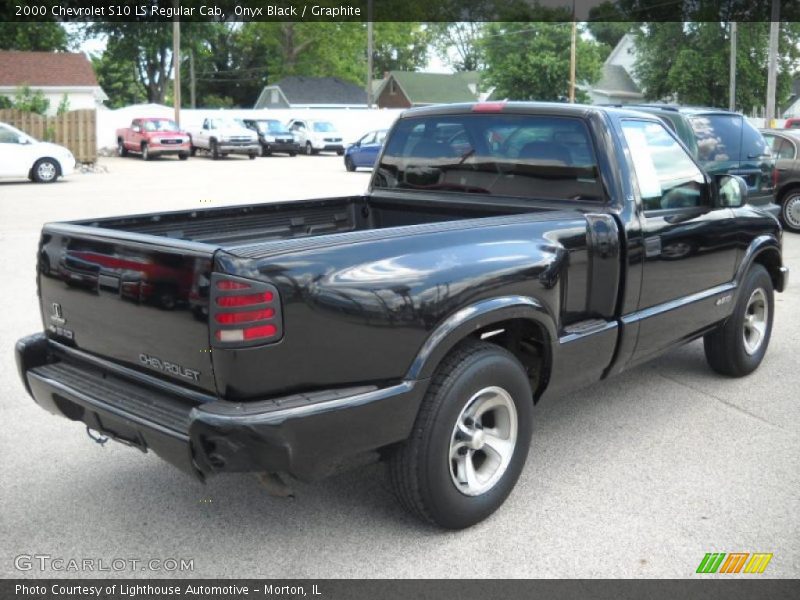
x=530, y=61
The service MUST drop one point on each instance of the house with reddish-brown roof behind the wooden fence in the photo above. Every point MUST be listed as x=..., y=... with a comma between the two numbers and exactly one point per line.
x=56, y=74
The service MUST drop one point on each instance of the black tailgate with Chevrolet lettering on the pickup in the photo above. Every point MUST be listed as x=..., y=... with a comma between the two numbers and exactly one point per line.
x=143, y=305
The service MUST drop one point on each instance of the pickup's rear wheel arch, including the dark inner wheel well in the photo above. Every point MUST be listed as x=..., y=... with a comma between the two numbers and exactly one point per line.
x=520, y=324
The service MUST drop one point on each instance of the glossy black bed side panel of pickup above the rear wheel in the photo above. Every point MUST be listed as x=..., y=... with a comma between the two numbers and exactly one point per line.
x=359, y=307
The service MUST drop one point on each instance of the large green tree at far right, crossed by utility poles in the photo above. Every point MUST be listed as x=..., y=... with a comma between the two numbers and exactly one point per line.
x=688, y=62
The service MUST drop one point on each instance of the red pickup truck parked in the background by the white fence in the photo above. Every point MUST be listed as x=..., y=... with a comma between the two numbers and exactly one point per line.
x=153, y=137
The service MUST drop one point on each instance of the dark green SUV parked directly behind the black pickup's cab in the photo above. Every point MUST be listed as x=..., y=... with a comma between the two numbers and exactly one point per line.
x=723, y=142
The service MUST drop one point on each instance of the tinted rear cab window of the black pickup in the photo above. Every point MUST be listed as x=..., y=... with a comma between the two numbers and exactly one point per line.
x=524, y=156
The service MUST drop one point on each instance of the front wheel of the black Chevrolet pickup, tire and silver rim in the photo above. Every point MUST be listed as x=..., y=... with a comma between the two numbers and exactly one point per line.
x=738, y=346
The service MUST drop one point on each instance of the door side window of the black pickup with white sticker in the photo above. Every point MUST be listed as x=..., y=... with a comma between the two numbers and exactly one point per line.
x=667, y=176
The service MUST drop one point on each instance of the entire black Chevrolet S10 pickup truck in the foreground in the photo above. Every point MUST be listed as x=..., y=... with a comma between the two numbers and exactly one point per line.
x=503, y=253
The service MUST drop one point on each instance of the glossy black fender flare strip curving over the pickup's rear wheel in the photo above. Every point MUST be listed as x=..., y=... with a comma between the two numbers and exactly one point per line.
x=476, y=316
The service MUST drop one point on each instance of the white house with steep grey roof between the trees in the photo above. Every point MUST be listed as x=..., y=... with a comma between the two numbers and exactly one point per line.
x=617, y=83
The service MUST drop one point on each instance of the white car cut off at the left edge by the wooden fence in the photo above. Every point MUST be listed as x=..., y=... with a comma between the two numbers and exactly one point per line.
x=23, y=156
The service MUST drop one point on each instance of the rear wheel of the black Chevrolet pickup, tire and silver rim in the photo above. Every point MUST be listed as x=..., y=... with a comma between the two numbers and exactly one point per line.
x=437, y=489
